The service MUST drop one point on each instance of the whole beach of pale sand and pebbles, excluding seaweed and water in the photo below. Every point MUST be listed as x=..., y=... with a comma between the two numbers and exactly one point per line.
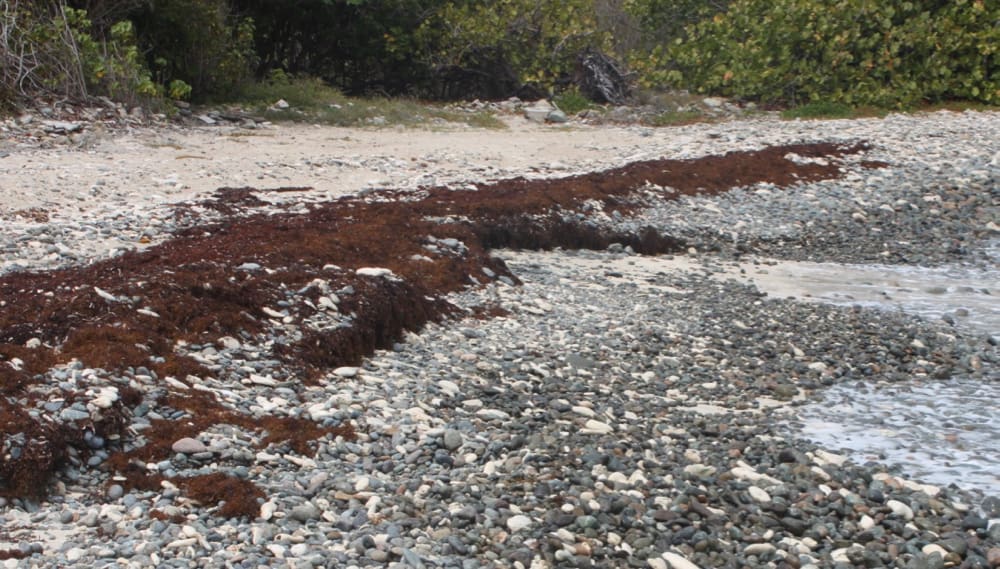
x=611, y=410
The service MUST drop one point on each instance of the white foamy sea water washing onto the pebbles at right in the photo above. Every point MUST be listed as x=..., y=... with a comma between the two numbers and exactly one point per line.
x=938, y=432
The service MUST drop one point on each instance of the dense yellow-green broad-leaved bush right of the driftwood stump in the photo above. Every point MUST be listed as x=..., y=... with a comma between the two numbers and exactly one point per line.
x=885, y=53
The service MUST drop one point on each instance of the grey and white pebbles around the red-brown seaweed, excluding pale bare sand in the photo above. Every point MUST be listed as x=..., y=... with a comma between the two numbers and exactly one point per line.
x=577, y=418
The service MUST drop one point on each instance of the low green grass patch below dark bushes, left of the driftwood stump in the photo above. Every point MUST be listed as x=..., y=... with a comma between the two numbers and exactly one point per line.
x=310, y=100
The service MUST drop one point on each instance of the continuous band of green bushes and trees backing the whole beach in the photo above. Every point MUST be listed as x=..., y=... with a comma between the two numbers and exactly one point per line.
x=854, y=52
